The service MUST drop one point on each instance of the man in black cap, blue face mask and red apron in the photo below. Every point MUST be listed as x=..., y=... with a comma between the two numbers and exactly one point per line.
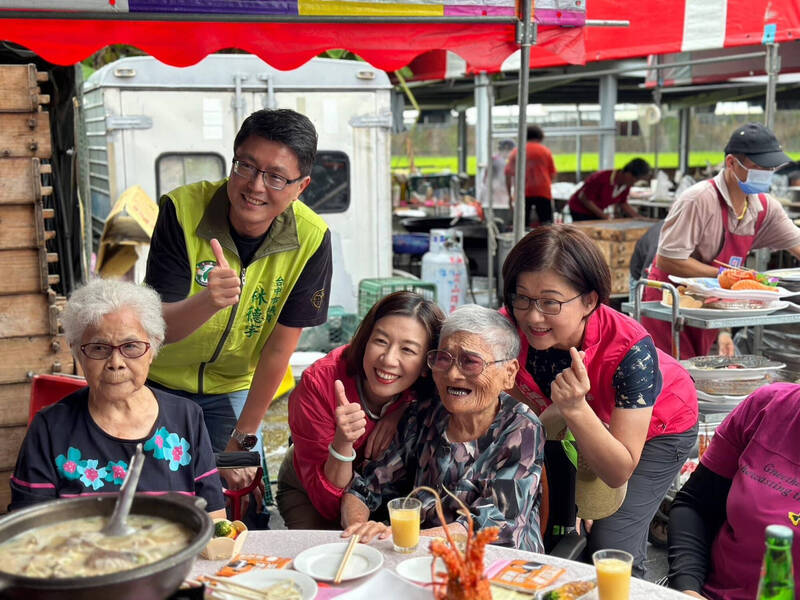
x=722, y=219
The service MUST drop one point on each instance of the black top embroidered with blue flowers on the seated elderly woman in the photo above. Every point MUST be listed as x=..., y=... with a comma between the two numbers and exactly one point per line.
x=66, y=454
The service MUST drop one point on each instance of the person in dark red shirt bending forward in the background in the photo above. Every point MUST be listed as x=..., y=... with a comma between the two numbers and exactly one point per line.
x=605, y=188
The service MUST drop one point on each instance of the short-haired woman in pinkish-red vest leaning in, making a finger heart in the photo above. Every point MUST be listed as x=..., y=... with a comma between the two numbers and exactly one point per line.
x=631, y=408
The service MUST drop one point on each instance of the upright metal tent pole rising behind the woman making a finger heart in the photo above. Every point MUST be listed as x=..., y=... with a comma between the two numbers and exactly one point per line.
x=526, y=33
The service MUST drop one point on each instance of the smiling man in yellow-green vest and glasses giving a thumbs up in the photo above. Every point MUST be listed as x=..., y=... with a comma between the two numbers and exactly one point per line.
x=242, y=266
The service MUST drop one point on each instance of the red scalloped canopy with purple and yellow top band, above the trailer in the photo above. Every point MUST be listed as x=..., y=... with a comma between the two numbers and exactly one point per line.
x=286, y=33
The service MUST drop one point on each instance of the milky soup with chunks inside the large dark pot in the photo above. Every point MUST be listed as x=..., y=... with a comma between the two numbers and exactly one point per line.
x=76, y=548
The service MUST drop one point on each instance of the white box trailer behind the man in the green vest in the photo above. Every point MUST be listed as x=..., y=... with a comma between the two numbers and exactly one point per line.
x=159, y=127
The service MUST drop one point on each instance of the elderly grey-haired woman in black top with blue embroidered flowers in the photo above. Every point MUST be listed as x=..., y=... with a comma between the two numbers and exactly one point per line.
x=82, y=444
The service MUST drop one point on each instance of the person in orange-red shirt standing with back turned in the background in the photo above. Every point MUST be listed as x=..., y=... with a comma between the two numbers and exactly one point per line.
x=539, y=173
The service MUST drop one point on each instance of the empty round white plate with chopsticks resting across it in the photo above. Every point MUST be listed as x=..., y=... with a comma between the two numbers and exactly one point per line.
x=322, y=562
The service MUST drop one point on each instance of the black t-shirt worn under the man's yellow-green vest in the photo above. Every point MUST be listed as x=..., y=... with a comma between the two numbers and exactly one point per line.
x=170, y=273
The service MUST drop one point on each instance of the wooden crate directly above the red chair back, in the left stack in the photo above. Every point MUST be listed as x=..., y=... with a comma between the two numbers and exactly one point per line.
x=35, y=354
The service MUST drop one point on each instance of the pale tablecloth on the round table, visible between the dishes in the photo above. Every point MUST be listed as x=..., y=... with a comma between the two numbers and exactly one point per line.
x=289, y=544
